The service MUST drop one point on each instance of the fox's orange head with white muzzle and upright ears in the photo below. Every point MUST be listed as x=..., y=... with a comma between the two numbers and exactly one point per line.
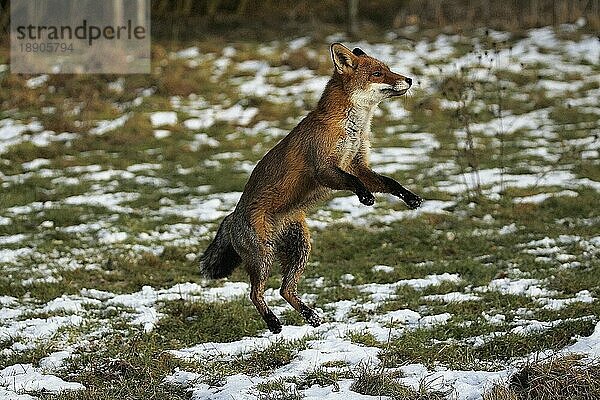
x=366, y=79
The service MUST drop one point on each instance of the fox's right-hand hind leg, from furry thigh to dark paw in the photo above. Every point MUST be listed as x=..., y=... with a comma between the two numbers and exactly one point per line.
x=292, y=253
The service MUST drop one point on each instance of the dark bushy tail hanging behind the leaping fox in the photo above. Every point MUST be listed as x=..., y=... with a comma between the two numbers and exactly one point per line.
x=220, y=259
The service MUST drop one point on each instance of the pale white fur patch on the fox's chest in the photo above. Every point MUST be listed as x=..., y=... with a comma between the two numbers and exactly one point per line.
x=357, y=130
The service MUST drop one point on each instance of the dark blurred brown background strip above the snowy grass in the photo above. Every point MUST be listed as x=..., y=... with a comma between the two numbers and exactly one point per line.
x=270, y=19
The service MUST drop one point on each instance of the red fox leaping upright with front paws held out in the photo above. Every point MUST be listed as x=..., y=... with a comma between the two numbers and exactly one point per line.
x=328, y=150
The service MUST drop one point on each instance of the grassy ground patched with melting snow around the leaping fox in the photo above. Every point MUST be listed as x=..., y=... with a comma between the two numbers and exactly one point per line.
x=105, y=204
